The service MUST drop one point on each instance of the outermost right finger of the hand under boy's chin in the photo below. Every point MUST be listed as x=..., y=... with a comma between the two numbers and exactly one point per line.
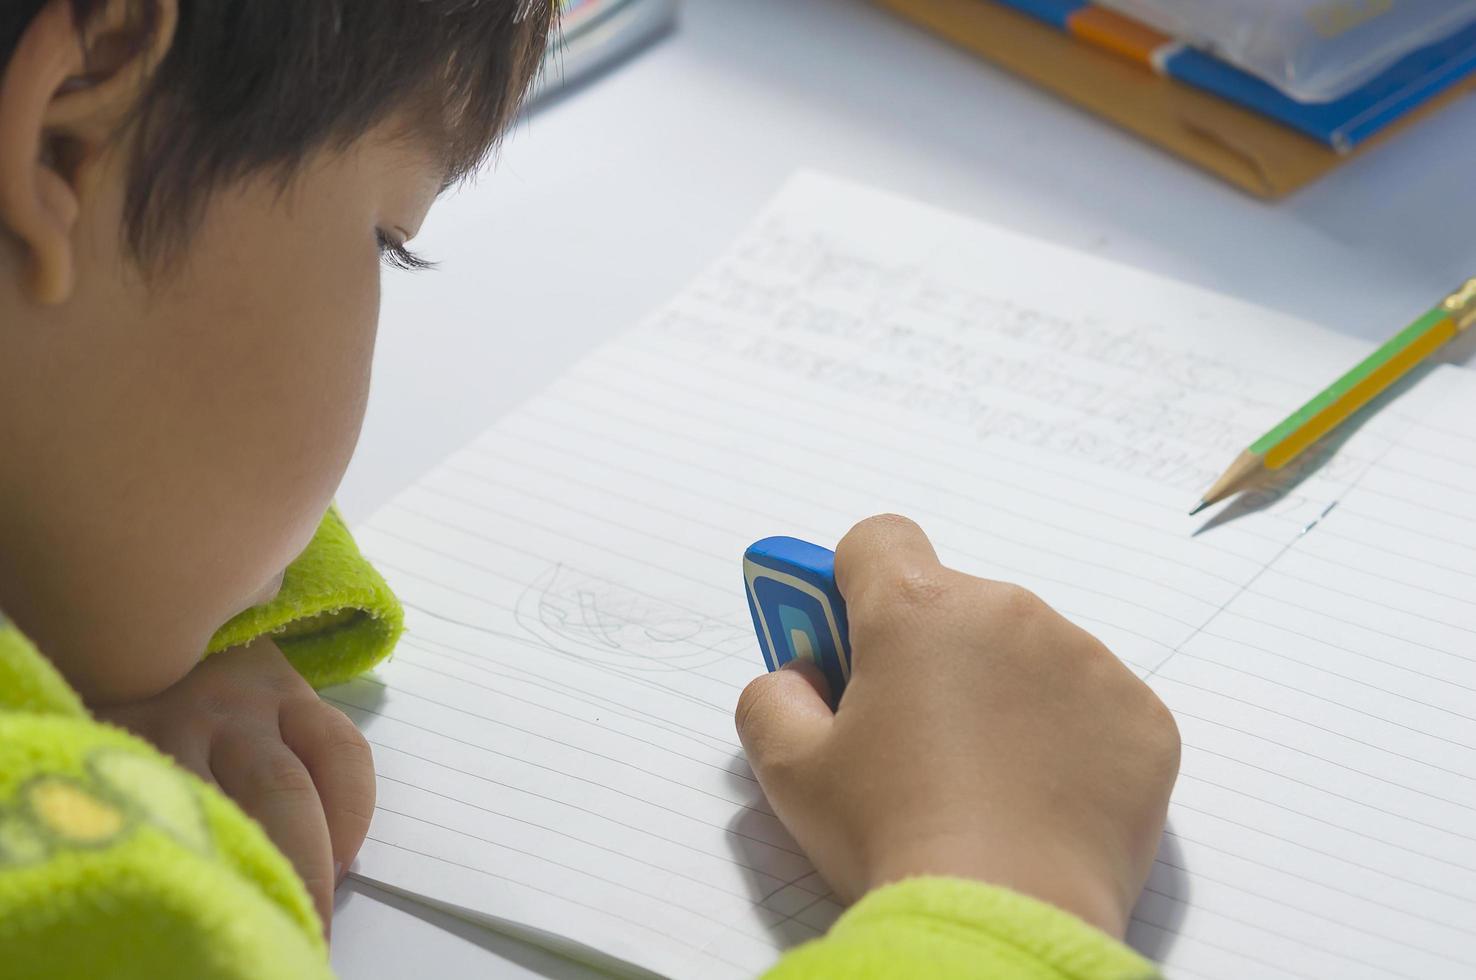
x=342, y=765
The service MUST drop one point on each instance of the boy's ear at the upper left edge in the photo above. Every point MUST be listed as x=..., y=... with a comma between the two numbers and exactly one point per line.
x=64, y=98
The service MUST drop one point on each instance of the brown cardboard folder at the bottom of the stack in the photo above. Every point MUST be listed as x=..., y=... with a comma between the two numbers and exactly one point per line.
x=1249, y=151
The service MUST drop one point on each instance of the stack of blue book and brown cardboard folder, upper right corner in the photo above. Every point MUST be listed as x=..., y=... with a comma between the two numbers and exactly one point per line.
x=1190, y=103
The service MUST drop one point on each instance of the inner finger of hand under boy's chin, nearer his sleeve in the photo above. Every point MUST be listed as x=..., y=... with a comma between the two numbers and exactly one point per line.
x=271, y=784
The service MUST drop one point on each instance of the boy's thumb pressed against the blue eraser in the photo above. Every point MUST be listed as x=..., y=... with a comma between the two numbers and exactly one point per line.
x=783, y=720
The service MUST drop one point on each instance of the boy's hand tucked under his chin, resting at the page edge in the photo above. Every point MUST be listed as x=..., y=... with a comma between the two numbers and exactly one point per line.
x=246, y=721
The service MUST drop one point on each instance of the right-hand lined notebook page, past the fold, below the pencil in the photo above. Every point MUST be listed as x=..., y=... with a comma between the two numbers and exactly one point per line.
x=1322, y=826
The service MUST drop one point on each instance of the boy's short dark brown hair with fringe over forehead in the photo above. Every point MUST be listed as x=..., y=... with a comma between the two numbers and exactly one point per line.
x=259, y=85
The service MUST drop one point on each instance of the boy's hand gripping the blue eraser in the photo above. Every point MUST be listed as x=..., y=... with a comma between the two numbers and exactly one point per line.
x=981, y=736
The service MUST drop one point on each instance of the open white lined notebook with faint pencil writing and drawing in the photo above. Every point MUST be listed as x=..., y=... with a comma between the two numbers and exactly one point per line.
x=554, y=739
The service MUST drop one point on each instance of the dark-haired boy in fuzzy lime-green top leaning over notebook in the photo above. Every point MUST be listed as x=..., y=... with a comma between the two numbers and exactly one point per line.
x=196, y=197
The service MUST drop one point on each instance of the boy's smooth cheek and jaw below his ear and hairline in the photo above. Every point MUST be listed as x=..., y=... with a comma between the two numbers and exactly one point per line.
x=206, y=427
